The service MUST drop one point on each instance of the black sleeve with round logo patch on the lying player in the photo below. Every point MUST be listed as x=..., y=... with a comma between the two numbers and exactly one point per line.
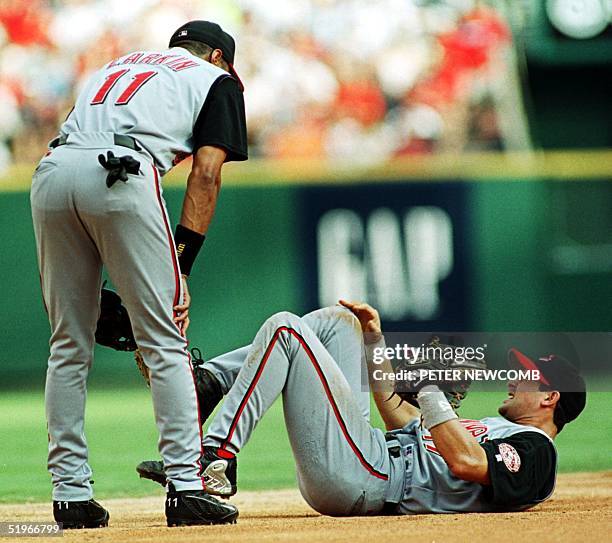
x=522, y=469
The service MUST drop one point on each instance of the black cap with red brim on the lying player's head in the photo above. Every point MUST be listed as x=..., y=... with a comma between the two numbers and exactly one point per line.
x=556, y=373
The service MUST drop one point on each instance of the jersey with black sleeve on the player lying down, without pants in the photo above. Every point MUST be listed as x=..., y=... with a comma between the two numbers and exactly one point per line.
x=430, y=487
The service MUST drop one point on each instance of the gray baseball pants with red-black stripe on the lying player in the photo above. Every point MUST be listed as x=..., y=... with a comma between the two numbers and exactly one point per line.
x=314, y=362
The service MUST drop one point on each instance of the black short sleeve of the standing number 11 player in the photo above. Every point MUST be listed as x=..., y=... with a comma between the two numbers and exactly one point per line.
x=222, y=121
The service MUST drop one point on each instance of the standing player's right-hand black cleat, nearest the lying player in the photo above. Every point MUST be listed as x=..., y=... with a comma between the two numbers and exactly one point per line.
x=192, y=507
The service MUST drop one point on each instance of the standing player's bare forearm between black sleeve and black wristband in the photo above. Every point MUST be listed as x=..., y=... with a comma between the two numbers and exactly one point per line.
x=200, y=200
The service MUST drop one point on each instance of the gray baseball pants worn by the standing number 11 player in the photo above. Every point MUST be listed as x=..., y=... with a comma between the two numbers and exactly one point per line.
x=81, y=226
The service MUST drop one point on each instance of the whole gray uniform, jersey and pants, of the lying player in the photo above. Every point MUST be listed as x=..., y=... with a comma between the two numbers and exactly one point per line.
x=346, y=467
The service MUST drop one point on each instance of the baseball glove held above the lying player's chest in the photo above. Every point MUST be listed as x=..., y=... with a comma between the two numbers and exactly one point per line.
x=429, y=368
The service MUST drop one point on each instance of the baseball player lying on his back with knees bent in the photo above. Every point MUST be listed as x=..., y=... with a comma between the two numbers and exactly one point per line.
x=429, y=461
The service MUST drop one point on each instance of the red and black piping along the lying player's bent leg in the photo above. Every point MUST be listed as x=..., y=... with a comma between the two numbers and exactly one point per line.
x=328, y=393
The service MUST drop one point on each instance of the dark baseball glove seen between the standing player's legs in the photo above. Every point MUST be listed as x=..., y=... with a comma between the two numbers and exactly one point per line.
x=114, y=329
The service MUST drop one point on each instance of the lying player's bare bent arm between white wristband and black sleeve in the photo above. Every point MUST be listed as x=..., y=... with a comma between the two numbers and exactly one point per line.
x=465, y=457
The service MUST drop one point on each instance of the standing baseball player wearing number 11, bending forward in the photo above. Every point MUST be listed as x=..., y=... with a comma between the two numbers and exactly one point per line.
x=97, y=201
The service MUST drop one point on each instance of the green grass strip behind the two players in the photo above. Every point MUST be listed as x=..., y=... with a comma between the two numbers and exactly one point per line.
x=121, y=432
